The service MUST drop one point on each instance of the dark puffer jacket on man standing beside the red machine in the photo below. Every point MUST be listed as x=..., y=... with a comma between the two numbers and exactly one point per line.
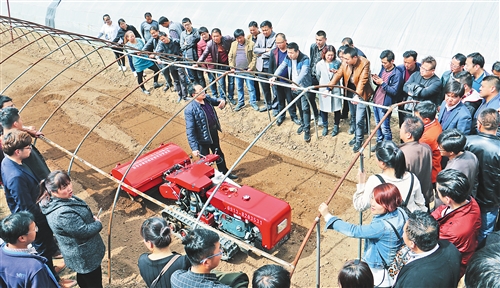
x=197, y=129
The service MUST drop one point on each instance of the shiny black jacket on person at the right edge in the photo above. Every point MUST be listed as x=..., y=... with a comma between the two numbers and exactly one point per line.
x=486, y=147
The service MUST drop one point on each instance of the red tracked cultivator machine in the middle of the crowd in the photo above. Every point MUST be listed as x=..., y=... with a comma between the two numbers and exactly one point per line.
x=241, y=211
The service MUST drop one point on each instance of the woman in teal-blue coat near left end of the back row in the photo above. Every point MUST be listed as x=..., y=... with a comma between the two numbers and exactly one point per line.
x=141, y=63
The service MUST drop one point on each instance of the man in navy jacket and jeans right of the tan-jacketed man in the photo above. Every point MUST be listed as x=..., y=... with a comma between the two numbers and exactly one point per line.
x=389, y=81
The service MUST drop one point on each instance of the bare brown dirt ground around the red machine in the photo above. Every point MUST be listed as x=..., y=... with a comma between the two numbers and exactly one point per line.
x=281, y=164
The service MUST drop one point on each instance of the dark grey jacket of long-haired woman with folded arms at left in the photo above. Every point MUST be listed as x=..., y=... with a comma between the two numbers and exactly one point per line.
x=77, y=233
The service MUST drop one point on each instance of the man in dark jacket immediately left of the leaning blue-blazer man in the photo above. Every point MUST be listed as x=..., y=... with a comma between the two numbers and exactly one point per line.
x=277, y=56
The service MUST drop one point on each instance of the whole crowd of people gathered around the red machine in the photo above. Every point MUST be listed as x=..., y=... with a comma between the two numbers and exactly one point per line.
x=434, y=204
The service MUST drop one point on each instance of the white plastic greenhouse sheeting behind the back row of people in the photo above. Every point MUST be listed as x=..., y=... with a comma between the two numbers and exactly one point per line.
x=440, y=29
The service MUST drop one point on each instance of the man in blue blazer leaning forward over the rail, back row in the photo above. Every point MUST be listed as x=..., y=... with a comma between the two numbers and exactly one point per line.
x=297, y=65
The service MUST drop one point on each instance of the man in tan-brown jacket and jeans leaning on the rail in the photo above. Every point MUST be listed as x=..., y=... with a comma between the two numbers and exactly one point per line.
x=355, y=72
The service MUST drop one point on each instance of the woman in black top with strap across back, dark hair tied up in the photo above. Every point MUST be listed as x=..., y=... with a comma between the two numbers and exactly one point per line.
x=157, y=266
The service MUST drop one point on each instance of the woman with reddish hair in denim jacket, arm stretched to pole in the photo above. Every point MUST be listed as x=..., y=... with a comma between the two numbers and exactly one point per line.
x=383, y=235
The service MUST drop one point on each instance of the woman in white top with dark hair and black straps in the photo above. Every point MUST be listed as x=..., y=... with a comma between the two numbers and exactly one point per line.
x=393, y=164
